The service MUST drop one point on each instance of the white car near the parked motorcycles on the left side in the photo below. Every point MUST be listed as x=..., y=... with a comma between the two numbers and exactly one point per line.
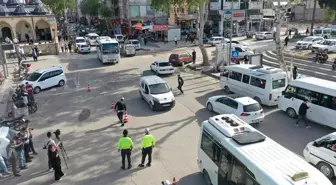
x=46, y=78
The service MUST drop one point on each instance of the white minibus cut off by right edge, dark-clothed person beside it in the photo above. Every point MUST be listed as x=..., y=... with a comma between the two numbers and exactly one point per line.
x=321, y=96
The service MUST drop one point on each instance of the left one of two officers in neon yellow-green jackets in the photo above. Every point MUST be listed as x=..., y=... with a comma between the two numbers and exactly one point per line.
x=125, y=146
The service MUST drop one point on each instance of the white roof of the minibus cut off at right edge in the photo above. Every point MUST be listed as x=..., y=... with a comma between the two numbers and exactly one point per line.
x=316, y=84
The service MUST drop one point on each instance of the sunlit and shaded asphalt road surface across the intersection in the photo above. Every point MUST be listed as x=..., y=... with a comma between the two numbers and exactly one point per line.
x=90, y=130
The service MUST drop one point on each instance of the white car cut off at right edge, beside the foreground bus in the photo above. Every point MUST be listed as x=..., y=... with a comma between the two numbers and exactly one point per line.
x=322, y=154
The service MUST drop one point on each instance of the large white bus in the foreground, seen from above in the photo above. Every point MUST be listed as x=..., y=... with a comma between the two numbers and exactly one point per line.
x=231, y=151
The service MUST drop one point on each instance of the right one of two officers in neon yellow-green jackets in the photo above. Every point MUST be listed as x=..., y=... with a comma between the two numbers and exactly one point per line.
x=147, y=145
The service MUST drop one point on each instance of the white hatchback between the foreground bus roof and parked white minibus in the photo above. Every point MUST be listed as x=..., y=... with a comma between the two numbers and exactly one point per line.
x=245, y=108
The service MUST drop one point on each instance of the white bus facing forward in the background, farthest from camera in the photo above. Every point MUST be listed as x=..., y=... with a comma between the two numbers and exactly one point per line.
x=108, y=50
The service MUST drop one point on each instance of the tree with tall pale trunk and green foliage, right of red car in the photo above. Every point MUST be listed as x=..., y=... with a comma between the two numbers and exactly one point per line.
x=201, y=6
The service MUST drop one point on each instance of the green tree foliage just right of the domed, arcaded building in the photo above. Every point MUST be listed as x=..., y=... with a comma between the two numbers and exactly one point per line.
x=58, y=6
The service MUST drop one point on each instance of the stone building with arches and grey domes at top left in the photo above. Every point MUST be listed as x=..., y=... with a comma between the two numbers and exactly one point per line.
x=24, y=21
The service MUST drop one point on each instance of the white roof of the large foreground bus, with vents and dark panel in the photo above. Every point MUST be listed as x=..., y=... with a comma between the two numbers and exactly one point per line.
x=270, y=162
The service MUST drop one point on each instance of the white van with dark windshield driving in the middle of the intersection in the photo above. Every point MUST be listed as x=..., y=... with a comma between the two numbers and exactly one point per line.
x=155, y=91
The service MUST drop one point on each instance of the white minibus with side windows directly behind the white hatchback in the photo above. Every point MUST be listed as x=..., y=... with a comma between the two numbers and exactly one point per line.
x=264, y=84
